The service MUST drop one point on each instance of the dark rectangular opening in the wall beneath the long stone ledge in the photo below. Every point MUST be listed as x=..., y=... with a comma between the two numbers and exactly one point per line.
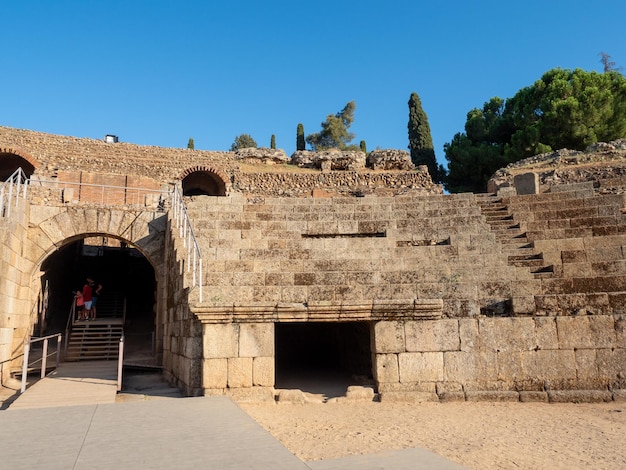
x=323, y=358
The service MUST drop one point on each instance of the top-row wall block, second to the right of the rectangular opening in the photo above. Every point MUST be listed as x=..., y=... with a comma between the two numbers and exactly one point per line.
x=432, y=335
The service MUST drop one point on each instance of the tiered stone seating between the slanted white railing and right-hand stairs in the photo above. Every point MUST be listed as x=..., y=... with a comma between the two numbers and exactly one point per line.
x=353, y=250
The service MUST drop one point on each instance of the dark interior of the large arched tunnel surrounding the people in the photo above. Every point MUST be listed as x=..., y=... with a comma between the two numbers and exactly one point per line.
x=128, y=288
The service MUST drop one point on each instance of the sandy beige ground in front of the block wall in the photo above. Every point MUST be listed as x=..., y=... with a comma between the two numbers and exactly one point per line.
x=477, y=435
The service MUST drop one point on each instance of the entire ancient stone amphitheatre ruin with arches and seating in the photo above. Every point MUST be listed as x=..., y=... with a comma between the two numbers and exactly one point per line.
x=240, y=273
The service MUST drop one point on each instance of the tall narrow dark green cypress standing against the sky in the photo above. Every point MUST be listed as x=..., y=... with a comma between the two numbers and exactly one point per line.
x=420, y=140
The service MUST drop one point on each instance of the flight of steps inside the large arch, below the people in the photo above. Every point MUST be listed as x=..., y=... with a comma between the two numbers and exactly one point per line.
x=95, y=340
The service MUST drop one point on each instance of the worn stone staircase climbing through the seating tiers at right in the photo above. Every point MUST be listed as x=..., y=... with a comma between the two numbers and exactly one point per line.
x=521, y=251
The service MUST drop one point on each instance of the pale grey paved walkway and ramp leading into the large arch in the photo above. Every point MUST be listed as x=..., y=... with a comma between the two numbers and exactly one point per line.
x=153, y=431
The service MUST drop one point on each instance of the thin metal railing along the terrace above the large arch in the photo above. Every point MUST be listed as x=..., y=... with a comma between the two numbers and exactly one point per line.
x=75, y=192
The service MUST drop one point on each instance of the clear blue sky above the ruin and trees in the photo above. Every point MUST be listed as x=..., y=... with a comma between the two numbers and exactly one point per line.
x=157, y=72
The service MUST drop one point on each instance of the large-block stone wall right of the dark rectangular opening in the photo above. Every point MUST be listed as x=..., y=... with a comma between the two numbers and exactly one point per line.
x=528, y=359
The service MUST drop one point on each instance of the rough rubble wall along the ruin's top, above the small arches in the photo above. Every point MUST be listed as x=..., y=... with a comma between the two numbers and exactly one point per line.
x=251, y=171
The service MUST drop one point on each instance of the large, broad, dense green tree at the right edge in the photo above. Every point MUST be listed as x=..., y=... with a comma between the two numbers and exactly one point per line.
x=564, y=109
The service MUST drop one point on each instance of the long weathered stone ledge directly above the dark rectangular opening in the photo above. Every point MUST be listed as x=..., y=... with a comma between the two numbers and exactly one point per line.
x=377, y=310
